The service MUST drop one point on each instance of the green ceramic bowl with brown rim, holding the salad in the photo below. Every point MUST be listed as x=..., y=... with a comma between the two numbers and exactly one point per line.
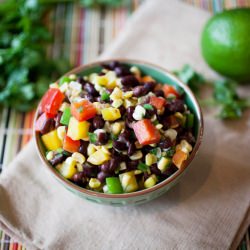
x=163, y=76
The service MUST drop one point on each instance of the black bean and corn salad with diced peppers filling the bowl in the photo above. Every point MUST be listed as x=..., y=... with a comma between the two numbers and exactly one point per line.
x=115, y=131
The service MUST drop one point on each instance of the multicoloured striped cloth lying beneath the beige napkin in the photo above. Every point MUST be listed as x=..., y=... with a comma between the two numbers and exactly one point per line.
x=80, y=36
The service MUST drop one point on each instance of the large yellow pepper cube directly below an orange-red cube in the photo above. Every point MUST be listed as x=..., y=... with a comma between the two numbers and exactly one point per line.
x=77, y=130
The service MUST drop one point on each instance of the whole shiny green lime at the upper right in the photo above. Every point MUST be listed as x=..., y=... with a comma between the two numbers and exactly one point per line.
x=225, y=43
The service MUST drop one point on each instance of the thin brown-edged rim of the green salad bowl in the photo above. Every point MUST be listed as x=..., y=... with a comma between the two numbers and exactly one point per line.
x=158, y=186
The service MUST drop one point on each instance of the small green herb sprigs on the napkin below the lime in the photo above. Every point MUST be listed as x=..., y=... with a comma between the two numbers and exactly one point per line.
x=224, y=93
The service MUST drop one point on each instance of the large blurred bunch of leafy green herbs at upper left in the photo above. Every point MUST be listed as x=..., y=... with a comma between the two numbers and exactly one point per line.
x=25, y=71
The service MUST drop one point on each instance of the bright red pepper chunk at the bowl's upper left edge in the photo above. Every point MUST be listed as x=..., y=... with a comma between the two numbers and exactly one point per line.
x=52, y=101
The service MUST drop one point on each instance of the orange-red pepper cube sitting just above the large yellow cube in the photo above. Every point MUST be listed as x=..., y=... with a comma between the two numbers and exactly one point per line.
x=83, y=110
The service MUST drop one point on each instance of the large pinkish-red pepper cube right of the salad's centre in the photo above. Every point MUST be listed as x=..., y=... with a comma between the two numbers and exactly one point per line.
x=145, y=132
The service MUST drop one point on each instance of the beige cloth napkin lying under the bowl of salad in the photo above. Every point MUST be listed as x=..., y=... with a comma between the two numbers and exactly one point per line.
x=207, y=210
